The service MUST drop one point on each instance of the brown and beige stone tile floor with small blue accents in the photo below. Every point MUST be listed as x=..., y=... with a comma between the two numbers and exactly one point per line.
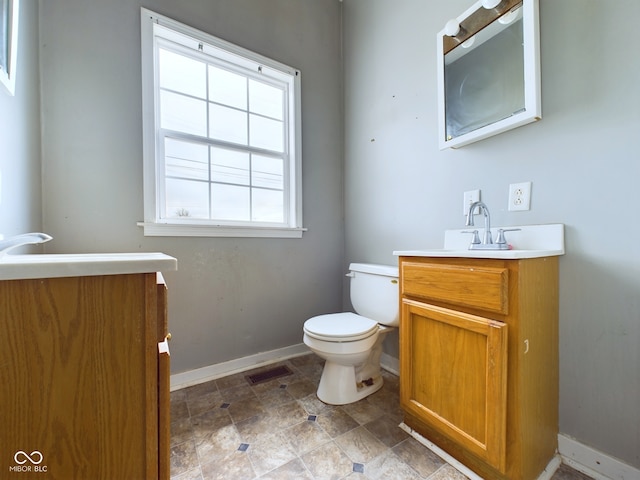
x=228, y=430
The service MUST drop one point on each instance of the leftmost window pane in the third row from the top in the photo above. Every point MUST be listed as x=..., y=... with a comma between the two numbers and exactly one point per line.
x=186, y=159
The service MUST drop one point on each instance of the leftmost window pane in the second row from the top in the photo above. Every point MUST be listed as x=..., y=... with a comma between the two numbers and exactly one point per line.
x=183, y=114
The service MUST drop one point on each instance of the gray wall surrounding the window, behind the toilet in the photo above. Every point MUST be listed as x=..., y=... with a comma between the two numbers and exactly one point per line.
x=230, y=298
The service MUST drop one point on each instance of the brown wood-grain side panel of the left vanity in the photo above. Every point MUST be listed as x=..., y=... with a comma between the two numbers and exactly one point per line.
x=74, y=365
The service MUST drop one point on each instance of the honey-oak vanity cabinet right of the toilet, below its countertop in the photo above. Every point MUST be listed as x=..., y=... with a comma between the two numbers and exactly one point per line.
x=479, y=360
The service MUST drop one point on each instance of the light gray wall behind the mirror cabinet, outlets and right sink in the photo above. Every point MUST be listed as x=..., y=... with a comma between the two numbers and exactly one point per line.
x=583, y=158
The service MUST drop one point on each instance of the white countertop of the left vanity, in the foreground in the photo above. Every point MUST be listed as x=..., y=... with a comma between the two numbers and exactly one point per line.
x=17, y=267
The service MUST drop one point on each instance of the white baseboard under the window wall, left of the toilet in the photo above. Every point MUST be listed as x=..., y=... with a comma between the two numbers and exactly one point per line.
x=219, y=370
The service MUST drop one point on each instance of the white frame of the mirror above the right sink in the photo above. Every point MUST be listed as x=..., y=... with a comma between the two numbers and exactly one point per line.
x=532, y=96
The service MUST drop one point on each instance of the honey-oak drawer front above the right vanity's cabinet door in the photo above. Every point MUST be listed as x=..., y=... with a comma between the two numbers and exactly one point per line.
x=483, y=287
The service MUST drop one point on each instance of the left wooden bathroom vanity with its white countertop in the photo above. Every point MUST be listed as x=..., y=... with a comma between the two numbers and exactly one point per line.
x=84, y=366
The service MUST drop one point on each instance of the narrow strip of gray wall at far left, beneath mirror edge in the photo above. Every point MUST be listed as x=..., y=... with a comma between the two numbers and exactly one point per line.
x=20, y=201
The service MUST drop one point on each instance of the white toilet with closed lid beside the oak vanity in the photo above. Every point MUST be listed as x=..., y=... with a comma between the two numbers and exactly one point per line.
x=351, y=343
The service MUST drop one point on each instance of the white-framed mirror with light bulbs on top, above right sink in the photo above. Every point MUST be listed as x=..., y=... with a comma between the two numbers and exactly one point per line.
x=488, y=71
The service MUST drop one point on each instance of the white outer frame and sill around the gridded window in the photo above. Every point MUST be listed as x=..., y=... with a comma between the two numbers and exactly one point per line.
x=157, y=28
